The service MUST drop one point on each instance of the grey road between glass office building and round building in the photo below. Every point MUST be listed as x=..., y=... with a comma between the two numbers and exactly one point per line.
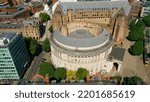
x=33, y=68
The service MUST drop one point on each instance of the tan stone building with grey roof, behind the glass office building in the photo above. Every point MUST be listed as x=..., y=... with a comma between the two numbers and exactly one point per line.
x=29, y=28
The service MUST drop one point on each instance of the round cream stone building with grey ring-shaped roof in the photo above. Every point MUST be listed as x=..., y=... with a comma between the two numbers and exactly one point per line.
x=81, y=44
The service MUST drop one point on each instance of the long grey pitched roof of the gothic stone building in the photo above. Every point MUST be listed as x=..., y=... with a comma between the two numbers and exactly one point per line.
x=95, y=5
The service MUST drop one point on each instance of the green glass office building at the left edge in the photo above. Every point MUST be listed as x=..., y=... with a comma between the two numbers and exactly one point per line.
x=13, y=55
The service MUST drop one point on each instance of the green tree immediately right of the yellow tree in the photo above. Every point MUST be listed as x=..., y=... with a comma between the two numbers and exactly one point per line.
x=82, y=73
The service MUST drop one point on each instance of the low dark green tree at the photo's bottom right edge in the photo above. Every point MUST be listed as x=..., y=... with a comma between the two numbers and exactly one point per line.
x=134, y=80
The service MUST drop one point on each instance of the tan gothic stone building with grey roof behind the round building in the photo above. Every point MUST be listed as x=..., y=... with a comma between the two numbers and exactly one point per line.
x=113, y=15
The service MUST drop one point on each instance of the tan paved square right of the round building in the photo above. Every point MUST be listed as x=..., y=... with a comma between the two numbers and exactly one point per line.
x=133, y=65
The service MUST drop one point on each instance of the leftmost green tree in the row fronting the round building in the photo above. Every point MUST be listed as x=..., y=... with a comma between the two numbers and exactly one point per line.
x=46, y=69
